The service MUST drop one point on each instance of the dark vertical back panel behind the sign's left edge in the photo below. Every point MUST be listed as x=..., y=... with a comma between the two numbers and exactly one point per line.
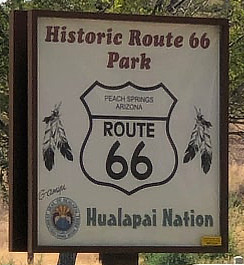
x=18, y=139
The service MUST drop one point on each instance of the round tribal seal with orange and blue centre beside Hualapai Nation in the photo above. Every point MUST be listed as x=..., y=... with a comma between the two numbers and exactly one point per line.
x=62, y=218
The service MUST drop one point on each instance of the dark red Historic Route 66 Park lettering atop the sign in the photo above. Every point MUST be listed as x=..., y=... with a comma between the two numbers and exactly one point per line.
x=135, y=38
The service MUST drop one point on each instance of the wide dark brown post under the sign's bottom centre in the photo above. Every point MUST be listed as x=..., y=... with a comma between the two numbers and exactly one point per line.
x=119, y=259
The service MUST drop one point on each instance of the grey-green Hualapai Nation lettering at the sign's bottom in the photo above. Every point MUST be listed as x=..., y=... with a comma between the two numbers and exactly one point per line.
x=167, y=217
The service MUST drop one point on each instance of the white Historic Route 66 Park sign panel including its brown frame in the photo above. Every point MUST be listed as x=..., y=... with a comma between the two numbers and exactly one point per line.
x=128, y=133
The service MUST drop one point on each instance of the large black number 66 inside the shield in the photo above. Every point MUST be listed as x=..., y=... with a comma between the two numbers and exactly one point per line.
x=135, y=160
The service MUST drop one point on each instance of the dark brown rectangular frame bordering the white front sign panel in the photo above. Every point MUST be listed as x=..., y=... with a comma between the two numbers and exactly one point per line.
x=32, y=133
